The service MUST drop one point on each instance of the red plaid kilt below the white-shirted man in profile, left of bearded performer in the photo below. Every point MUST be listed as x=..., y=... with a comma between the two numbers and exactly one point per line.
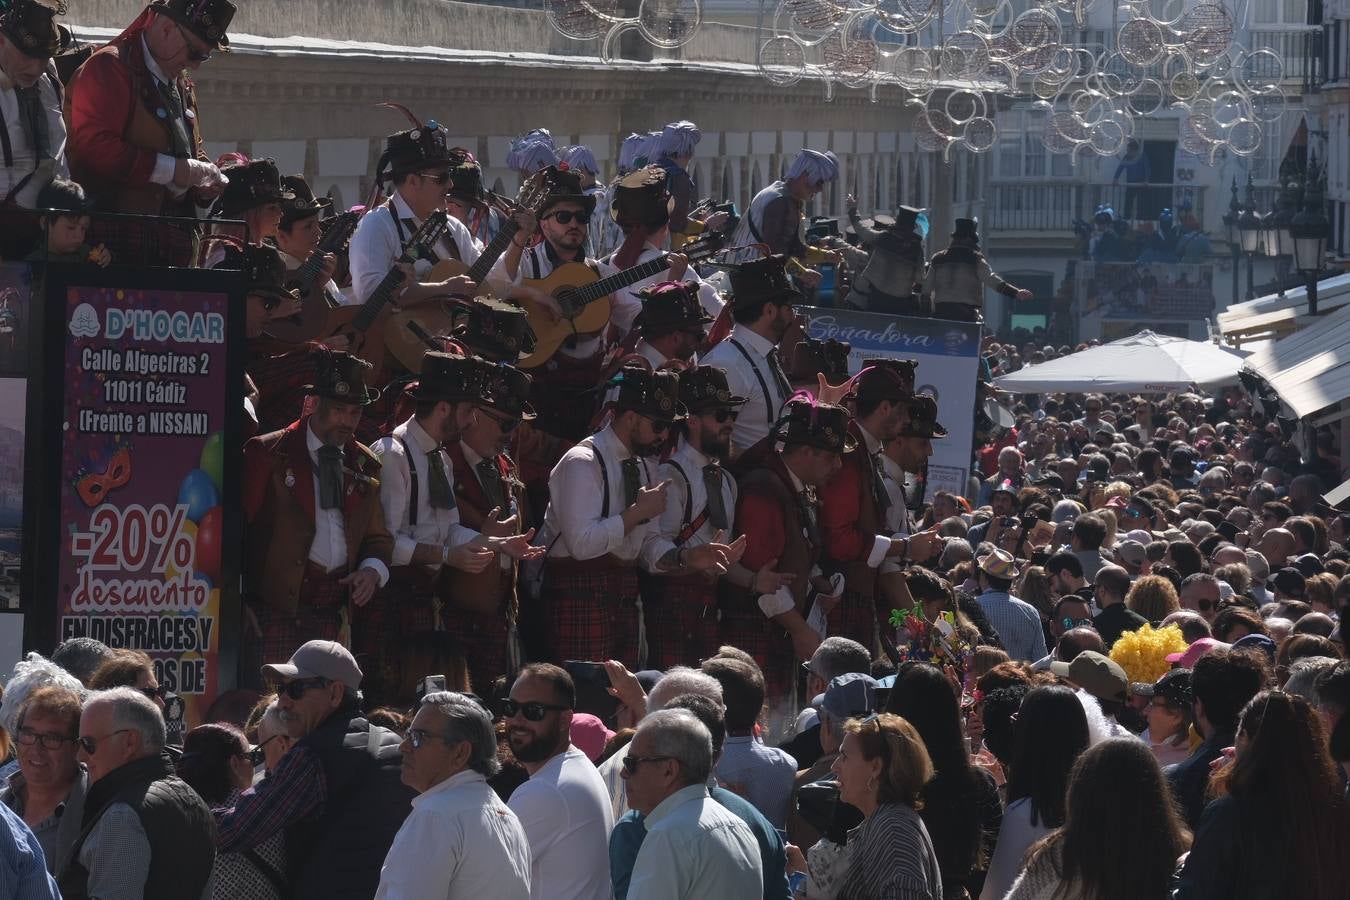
x=592, y=612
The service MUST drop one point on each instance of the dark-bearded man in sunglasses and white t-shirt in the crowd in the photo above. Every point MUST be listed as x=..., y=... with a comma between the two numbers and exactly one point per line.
x=564, y=808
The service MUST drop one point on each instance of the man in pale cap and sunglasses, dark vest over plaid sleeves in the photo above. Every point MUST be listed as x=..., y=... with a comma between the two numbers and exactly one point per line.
x=337, y=794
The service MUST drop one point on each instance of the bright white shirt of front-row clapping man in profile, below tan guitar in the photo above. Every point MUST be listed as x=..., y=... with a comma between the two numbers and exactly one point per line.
x=577, y=492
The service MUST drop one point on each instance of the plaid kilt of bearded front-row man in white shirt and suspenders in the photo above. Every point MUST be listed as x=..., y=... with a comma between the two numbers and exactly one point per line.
x=681, y=620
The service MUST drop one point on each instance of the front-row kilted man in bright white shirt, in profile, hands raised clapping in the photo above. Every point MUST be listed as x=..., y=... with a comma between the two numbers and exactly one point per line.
x=604, y=501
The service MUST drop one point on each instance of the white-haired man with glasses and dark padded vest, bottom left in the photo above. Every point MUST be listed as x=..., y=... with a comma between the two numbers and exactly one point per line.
x=145, y=832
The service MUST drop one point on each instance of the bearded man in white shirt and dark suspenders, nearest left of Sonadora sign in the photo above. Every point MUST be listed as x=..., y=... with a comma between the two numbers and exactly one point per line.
x=762, y=306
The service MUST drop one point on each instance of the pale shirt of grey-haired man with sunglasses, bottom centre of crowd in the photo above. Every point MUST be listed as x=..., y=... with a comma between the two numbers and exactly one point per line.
x=696, y=849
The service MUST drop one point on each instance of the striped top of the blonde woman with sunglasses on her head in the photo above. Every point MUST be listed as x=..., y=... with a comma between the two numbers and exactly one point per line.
x=893, y=859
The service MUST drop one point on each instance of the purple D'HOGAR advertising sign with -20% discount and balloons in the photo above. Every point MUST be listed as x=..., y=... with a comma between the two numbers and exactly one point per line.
x=144, y=478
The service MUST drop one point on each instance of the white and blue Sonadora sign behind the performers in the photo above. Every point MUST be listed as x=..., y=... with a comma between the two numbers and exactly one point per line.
x=948, y=358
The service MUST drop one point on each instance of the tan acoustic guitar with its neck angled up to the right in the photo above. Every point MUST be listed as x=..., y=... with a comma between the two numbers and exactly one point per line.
x=584, y=296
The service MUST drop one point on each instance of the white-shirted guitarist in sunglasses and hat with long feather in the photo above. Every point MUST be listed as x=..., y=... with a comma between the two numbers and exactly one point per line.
x=416, y=164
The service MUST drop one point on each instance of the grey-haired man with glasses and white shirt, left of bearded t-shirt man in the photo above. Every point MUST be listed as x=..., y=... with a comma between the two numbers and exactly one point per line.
x=461, y=841
